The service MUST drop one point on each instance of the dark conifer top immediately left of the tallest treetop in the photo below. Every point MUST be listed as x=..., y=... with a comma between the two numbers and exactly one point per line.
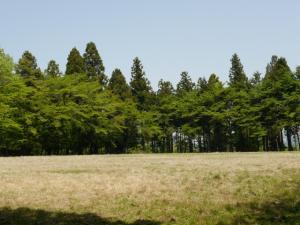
x=75, y=62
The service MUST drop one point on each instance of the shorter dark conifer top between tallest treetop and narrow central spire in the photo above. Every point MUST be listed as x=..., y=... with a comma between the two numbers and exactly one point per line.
x=117, y=84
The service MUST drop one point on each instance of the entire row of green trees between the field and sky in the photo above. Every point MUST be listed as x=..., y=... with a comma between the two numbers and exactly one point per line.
x=86, y=111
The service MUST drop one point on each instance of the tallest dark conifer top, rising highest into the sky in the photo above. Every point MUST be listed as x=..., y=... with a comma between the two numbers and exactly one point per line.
x=93, y=64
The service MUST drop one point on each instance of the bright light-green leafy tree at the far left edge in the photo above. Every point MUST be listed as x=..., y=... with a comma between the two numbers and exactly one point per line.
x=14, y=126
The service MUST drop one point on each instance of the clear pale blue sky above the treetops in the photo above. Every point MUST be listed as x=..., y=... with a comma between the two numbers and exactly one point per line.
x=169, y=36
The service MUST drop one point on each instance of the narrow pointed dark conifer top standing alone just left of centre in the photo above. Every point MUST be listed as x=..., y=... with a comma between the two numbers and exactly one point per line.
x=140, y=85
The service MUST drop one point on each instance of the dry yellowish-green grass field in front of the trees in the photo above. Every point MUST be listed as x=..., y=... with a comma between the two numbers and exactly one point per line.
x=229, y=188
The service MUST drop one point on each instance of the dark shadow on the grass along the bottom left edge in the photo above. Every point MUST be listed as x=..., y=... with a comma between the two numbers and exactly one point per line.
x=26, y=216
